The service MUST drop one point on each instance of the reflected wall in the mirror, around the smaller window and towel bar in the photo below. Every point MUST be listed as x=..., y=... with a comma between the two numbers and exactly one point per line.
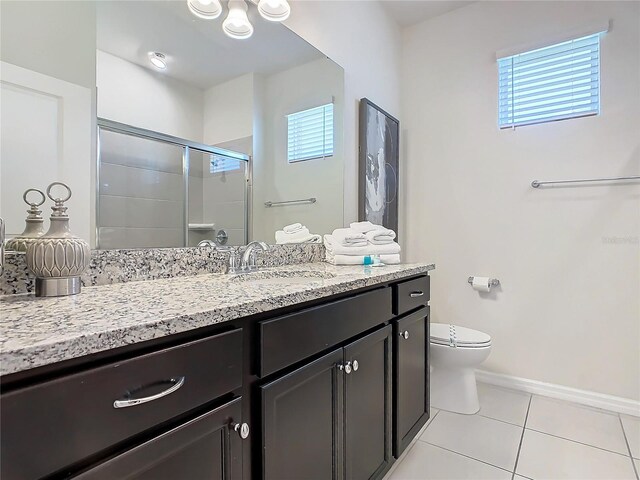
x=305, y=86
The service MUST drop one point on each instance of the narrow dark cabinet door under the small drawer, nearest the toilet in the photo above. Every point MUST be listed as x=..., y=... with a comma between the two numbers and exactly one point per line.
x=411, y=388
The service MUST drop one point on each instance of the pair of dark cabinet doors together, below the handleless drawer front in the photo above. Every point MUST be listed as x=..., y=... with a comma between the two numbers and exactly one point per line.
x=331, y=418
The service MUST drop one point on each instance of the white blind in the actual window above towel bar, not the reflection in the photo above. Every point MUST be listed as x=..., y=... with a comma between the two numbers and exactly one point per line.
x=552, y=83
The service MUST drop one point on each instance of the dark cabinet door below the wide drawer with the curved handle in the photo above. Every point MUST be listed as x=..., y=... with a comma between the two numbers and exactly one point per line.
x=206, y=448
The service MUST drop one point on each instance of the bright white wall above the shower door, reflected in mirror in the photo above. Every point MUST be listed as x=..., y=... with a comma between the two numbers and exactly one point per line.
x=138, y=96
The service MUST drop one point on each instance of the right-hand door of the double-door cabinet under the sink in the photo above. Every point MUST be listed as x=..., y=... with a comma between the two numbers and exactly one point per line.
x=368, y=405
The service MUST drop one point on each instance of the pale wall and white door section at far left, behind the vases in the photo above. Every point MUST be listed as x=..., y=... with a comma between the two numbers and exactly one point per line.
x=54, y=41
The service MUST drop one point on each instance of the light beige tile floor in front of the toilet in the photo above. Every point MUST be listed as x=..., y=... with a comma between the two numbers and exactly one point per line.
x=518, y=436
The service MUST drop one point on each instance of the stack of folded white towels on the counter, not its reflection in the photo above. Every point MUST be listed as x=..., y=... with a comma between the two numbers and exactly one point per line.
x=350, y=246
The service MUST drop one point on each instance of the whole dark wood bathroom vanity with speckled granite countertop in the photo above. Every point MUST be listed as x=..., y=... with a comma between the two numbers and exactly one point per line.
x=302, y=371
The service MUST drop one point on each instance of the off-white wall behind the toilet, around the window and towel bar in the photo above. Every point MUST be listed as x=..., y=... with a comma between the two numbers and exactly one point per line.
x=568, y=258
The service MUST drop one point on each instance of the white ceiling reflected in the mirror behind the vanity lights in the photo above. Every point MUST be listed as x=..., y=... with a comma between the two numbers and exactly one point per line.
x=197, y=51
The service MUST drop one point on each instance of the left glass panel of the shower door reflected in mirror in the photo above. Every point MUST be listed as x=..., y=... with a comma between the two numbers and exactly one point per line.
x=141, y=192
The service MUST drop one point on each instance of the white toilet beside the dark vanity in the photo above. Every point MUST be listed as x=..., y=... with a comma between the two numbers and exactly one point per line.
x=455, y=353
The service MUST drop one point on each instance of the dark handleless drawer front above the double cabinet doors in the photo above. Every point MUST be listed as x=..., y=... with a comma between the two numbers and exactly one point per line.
x=291, y=338
